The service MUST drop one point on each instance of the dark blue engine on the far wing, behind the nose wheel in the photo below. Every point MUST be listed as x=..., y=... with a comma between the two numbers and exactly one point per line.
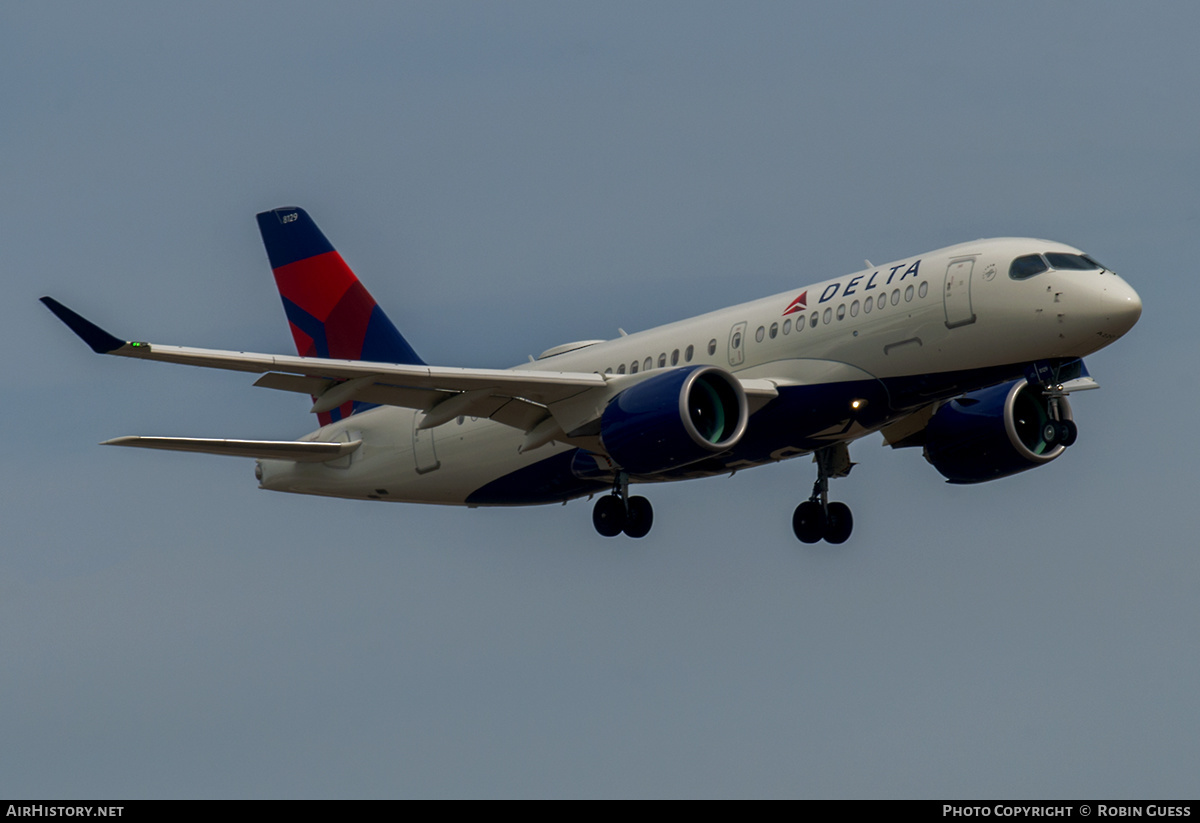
x=992, y=434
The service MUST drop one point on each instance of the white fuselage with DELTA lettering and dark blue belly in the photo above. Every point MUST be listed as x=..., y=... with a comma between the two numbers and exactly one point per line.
x=955, y=311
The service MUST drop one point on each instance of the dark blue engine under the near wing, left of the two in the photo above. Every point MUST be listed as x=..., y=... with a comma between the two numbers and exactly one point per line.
x=674, y=419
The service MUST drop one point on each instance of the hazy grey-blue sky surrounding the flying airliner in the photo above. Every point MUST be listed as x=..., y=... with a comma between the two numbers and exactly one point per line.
x=506, y=178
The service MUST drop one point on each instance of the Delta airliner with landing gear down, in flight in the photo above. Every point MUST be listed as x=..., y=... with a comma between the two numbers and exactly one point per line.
x=969, y=353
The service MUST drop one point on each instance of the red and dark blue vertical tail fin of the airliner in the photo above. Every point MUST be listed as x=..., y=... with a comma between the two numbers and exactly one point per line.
x=332, y=315
